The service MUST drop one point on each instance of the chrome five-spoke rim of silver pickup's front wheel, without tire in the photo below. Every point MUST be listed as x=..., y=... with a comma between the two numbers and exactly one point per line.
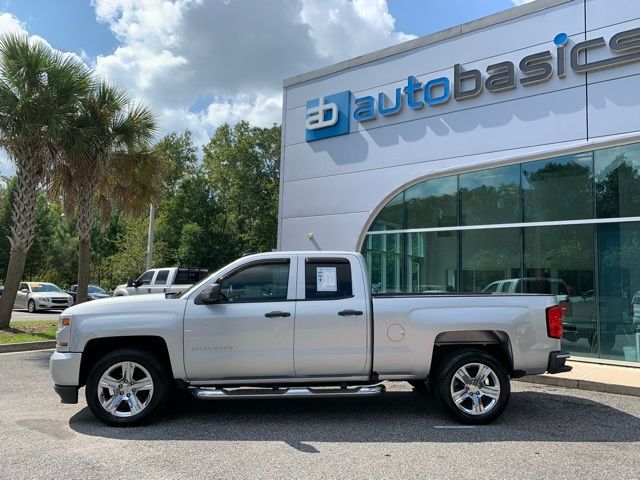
x=125, y=389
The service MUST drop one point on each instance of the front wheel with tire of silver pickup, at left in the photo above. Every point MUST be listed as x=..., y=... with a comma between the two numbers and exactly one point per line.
x=127, y=386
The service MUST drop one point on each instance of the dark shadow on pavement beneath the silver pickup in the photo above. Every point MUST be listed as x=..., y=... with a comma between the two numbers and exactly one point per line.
x=398, y=416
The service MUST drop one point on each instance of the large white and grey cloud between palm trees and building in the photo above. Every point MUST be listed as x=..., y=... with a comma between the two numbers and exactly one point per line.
x=234, y=53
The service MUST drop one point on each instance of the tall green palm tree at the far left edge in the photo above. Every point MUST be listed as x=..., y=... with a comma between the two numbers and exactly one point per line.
x=40, y=93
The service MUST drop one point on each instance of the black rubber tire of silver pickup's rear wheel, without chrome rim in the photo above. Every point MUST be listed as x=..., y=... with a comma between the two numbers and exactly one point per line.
x=445, y=376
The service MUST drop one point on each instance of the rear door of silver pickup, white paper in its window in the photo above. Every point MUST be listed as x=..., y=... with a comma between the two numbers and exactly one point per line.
x=331, y=336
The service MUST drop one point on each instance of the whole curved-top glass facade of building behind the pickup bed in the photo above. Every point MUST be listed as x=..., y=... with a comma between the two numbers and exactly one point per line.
x=568, y=226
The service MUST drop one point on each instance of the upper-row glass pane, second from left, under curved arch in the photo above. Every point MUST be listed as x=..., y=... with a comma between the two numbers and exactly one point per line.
x=433, y=203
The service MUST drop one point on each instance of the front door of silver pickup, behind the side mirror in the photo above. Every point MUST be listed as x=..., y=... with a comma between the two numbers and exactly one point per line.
x=250, y=334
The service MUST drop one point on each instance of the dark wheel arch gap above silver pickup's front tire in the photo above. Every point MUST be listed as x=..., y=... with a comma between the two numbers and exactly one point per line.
x=98, y=347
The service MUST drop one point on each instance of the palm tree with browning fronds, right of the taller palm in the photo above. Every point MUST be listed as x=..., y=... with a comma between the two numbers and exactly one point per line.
x=107, y=162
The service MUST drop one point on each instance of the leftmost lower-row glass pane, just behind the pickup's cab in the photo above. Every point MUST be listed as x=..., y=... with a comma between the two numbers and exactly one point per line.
x=384, y=260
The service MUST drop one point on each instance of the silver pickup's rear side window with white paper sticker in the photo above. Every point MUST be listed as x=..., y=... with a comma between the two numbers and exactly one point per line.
x=327, y=278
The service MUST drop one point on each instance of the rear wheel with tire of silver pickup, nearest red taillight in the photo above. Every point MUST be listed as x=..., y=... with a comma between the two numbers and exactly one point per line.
x=473, y=387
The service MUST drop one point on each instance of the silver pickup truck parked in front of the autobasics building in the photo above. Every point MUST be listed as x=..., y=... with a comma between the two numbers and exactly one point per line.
x=302, y=324
